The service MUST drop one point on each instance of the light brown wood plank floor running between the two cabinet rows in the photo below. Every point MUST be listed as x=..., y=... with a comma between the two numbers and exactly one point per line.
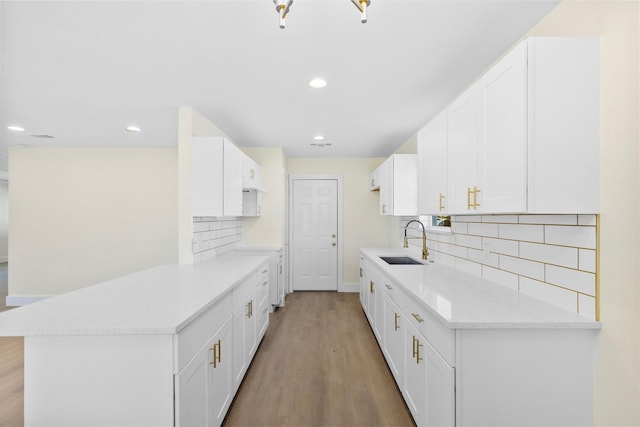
x=319, y=365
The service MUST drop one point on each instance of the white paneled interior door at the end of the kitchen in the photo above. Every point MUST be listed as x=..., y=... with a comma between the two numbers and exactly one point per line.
x=314, y=234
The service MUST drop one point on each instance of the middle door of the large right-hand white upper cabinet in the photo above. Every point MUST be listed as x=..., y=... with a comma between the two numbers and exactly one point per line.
x=465, y=191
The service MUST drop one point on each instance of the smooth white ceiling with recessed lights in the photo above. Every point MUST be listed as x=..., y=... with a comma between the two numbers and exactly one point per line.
x=81, y=71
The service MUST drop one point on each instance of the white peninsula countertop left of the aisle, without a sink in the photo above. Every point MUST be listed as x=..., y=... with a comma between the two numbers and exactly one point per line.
x=160, y=300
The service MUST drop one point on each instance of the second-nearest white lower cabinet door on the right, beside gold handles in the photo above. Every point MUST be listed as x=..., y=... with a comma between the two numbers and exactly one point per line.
x=415, y=380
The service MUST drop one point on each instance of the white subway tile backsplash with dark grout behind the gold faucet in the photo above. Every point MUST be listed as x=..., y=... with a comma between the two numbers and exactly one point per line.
x=549, y=257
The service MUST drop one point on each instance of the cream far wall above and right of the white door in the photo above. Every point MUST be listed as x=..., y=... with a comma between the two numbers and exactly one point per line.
x=362, y=225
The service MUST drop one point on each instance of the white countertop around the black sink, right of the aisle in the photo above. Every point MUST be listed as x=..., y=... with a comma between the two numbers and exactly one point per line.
x=464, y=301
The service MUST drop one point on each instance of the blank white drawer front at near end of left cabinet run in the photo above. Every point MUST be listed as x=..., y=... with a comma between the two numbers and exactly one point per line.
x=197, y=333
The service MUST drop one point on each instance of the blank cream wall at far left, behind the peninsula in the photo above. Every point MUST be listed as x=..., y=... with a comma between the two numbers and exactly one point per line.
x=80, y=216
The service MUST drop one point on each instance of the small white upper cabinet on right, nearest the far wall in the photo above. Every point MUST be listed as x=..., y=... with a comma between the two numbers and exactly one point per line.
x=398, y=185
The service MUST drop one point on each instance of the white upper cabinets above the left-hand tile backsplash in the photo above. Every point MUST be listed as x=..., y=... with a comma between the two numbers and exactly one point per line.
x=219, y=173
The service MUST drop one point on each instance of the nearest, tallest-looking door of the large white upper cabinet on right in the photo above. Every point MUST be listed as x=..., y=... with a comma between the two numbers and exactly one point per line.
x=503, y=140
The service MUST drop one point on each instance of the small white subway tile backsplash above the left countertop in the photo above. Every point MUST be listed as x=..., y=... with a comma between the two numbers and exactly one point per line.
x=213, y=237
